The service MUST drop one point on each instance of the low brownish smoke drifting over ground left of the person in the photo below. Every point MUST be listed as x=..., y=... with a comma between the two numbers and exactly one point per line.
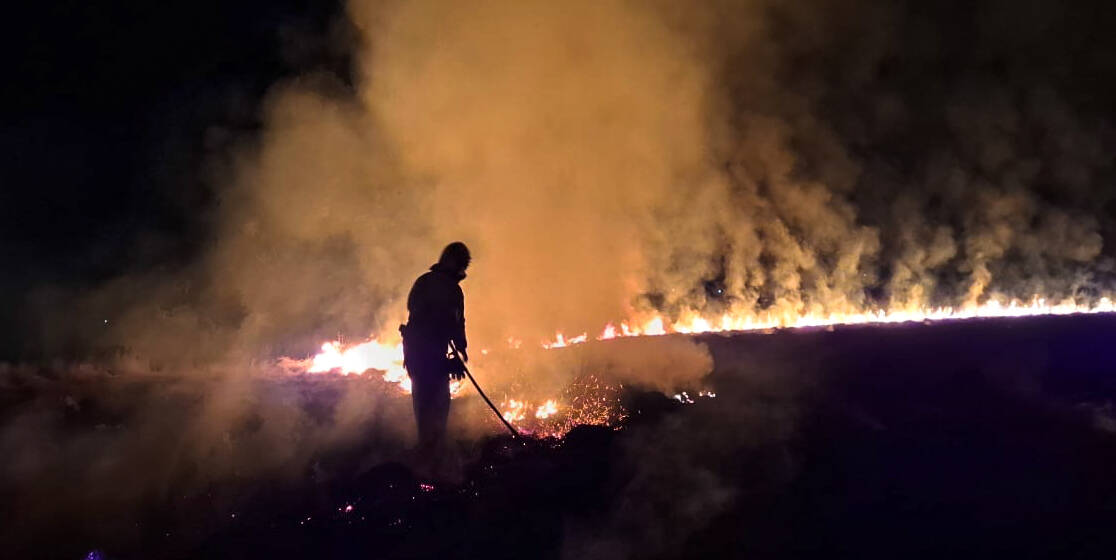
x=89, y=450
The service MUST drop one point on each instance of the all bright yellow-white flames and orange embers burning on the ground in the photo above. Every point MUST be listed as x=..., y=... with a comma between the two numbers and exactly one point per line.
x=588, y=407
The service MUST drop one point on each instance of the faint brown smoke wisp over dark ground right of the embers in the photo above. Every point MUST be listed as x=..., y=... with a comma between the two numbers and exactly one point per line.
x=695, y=469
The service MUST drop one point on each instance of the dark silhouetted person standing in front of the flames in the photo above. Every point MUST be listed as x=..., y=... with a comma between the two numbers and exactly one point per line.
x=437, y=308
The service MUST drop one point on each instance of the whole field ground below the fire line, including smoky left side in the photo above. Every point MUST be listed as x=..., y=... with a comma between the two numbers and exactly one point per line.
x=987, y=437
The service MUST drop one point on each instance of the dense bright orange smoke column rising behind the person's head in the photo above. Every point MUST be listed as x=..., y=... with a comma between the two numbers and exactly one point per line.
x=549, y=138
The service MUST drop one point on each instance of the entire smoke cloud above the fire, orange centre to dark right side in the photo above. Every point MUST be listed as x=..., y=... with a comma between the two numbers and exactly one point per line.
x=608, y=159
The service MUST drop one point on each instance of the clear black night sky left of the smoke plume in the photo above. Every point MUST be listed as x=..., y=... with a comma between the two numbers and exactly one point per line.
x=111, y=112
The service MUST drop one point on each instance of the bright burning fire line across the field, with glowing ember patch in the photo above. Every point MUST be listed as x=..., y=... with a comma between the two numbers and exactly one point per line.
x=590, y=401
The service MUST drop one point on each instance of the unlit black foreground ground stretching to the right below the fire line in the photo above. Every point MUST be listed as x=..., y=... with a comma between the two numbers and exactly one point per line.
x=986, y=439
